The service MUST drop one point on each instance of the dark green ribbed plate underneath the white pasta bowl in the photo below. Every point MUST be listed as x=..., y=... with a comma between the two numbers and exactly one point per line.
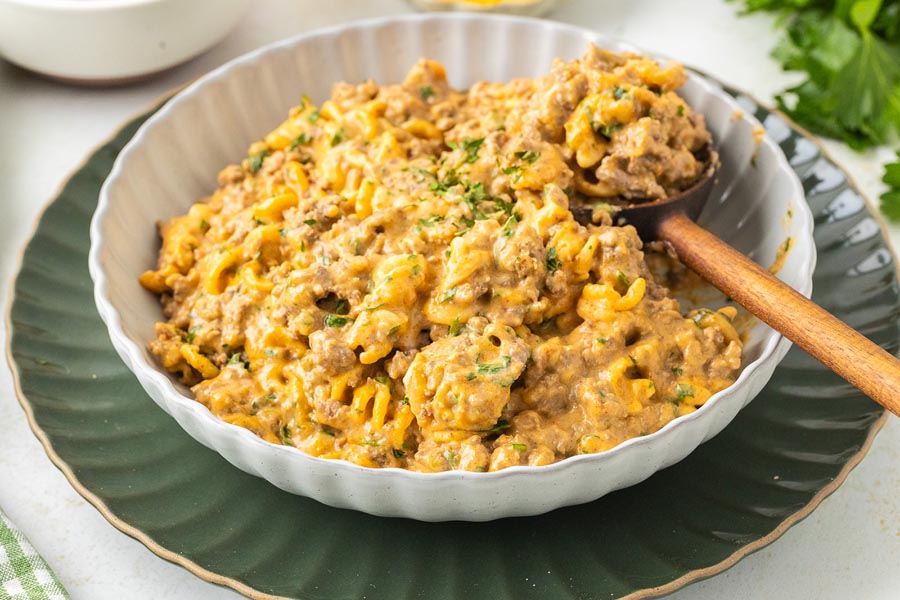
x=783, y=454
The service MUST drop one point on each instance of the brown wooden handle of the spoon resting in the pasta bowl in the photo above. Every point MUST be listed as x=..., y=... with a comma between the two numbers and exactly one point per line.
x=843, y=350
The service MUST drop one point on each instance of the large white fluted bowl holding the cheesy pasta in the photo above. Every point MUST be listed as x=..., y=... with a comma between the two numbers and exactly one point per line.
x=151, y=181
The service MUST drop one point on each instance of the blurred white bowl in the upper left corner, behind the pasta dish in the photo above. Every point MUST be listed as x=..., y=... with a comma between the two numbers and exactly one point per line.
x=104, y=41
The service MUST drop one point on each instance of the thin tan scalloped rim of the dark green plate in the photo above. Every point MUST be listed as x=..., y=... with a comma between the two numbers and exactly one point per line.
x=242, y=588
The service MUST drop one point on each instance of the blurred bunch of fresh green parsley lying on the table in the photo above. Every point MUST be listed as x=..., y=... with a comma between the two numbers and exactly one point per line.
x=849, y=53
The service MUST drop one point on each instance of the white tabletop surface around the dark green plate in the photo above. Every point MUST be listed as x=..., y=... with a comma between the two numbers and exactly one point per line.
x=848, y=548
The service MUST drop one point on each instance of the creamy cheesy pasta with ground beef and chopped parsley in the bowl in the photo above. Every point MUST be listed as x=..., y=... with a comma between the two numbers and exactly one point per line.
x=394, y=278
